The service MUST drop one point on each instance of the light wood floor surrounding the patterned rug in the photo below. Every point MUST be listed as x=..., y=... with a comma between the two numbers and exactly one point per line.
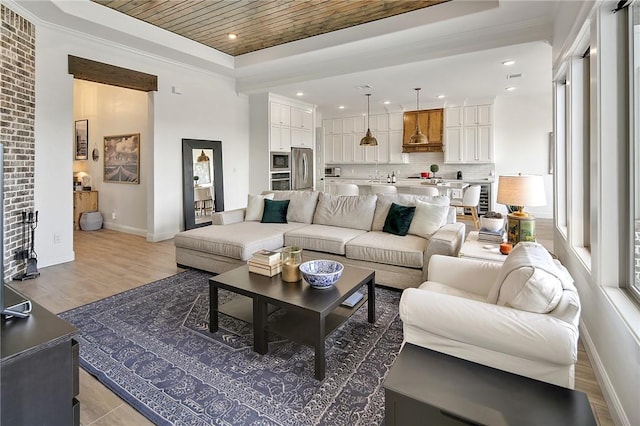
x=110, y=262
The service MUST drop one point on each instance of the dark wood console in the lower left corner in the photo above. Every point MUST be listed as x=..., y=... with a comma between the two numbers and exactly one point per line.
x=39, y=365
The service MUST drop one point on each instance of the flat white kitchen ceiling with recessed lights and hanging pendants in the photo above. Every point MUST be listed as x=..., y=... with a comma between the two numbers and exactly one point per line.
x=460, y=78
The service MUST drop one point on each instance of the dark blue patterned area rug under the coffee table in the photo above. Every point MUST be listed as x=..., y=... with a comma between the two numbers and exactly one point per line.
x=151, y=346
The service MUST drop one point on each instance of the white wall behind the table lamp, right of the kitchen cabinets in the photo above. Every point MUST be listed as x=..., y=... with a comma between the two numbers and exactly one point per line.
x=521, y=131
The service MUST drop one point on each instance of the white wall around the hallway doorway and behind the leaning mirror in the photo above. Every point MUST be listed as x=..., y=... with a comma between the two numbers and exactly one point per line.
x=208, y=108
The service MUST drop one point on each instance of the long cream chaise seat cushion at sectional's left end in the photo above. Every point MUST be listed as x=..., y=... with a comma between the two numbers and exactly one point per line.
x=236, y=240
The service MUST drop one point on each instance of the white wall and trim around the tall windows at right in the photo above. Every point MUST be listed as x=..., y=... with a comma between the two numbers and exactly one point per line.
x=609, y=320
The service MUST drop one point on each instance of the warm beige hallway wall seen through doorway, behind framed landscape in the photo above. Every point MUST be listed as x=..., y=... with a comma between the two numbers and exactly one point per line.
x=112, y=111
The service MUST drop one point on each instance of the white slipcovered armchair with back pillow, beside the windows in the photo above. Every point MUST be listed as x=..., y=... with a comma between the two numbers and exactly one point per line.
x=475, y=310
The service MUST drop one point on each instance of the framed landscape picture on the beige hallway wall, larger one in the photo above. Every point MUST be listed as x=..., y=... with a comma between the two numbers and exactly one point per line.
x=122, y=158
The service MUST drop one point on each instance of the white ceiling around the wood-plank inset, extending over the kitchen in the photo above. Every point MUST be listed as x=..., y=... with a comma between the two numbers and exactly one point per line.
x=455, y=51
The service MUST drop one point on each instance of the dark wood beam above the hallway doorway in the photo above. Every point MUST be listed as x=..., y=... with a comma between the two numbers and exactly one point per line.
x=98, y=72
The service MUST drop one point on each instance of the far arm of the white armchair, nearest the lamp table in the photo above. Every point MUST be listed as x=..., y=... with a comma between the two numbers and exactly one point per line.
x=471, y=275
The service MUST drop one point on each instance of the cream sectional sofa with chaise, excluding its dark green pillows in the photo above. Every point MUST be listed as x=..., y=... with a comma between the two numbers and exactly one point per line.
x=344, y=228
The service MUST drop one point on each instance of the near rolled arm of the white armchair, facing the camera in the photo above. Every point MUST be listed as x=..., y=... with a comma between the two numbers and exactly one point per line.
x=523, y=334
